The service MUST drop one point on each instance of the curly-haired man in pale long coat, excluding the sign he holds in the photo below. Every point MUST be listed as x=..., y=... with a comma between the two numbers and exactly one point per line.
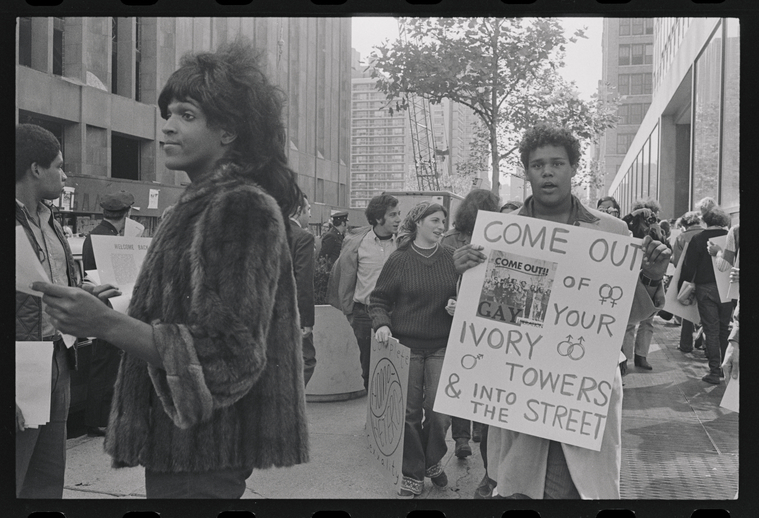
x=527, y=466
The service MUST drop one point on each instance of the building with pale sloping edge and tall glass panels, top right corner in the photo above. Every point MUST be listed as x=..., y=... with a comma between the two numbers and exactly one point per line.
x=687, y=146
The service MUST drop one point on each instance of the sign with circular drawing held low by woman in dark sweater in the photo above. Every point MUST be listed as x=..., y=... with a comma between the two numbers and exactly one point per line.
x=386, y=406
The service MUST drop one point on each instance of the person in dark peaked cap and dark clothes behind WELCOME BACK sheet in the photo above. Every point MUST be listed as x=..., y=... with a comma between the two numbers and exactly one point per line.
x=104, y=358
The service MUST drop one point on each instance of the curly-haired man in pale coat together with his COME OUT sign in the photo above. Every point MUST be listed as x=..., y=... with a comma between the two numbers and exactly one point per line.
x=536, y=335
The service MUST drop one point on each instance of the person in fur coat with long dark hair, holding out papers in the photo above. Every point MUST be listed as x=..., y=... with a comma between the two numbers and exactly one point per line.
x=211, y=382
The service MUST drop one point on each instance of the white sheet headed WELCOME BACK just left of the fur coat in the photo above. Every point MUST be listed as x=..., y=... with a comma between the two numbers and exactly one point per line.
x=118, y=259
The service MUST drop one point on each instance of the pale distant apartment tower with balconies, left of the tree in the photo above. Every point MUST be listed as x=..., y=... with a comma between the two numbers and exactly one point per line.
x=380, y=143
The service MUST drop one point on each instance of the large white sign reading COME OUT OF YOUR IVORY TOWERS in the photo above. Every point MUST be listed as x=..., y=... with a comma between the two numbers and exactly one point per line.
x=536, y=337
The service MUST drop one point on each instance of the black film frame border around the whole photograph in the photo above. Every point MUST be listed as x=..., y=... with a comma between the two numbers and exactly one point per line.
x=748, y=16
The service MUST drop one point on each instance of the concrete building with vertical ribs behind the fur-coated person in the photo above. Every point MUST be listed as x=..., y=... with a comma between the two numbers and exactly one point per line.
x=94, y=82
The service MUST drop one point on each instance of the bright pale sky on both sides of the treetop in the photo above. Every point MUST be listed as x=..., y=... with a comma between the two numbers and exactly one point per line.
x=583, y=61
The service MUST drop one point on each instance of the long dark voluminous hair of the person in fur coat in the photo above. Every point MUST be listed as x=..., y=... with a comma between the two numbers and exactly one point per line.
x=234, y=94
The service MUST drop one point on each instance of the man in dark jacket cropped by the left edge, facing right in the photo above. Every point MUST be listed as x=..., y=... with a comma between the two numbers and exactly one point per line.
x=41, y=452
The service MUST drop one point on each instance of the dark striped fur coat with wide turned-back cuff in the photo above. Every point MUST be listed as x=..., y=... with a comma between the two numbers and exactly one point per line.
x=218, y=288
